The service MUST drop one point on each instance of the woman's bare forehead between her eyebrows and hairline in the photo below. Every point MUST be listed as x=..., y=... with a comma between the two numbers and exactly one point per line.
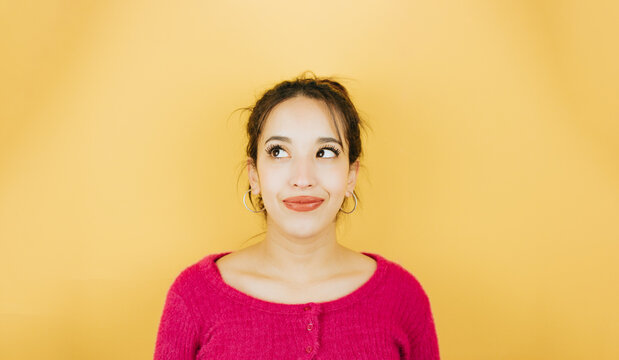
x=300, y=118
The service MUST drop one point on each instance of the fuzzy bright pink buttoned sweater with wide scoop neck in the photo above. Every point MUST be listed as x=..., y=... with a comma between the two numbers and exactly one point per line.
x=388, y=317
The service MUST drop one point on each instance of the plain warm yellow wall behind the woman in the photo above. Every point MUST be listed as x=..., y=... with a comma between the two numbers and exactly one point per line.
x=492, y=167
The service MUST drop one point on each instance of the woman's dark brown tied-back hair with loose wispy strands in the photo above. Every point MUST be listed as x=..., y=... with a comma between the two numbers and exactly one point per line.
x=324, y=89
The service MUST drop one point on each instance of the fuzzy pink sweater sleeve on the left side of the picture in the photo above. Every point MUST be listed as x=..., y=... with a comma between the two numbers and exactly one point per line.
x=177, y=337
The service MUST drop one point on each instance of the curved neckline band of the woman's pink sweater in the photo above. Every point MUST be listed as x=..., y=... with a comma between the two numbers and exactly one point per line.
x=215, y=280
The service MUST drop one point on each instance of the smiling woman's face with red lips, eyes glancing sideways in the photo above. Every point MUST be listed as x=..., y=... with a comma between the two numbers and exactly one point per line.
x=299, y=154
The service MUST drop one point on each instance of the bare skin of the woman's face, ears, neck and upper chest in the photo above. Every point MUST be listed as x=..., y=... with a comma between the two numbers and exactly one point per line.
x=300, y=259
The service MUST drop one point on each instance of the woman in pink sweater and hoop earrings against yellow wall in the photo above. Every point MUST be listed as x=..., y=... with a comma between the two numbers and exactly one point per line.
x=298, y=294
